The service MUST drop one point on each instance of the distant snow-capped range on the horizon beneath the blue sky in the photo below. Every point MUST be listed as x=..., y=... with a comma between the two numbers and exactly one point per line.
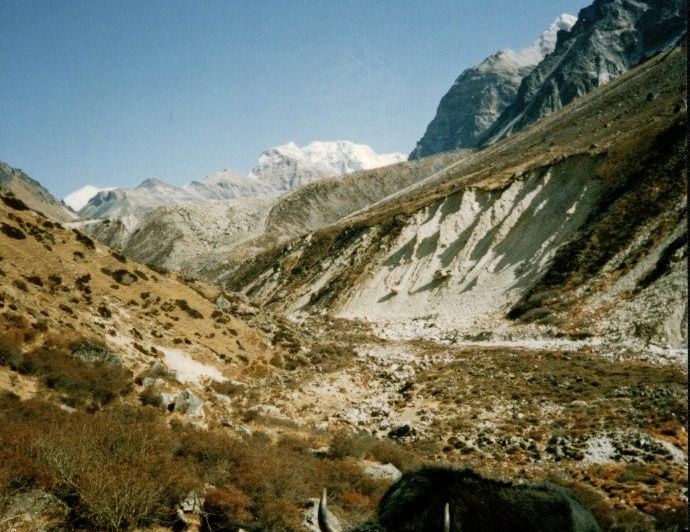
x=278, y=169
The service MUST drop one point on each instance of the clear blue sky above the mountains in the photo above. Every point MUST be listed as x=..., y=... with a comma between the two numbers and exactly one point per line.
x=110, y=92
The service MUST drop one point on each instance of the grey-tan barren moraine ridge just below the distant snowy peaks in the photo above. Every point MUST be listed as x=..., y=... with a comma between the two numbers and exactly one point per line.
x=211, y=239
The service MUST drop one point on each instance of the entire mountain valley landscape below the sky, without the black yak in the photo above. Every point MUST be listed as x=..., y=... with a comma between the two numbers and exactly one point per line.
x=512, y=298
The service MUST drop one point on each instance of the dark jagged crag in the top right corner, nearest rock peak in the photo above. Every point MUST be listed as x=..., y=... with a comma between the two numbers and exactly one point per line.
x=609, y=38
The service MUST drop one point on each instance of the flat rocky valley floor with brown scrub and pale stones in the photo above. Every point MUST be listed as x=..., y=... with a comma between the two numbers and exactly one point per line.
x=608, y=421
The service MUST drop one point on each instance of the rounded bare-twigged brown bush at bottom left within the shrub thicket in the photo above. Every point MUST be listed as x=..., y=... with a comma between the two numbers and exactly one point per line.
x=119, y=465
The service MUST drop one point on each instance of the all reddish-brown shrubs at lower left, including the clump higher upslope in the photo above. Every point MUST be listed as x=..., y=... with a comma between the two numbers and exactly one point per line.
x=118, y=466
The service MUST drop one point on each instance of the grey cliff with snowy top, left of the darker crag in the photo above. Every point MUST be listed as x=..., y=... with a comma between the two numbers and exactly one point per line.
x=481, y=93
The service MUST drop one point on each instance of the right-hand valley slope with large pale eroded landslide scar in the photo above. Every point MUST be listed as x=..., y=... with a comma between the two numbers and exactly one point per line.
x=575, y=219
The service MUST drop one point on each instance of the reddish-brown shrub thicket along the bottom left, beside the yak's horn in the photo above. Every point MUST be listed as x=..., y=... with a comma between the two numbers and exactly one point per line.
x=123, y=467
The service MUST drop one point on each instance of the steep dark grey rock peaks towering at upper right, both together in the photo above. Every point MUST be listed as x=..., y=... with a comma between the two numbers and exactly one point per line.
x=510, y=90
